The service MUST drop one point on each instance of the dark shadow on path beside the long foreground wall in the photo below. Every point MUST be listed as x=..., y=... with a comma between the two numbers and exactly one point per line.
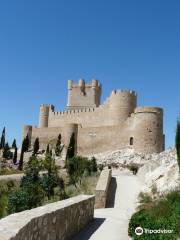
x=88, y=231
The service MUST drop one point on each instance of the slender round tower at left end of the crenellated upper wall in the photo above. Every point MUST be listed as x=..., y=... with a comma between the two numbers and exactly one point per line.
x=44, y=115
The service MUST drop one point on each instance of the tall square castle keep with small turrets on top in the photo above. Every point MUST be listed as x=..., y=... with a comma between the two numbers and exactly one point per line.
x=82, y=95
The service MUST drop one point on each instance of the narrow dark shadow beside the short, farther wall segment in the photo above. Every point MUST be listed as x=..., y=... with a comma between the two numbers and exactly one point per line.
x=111, y=193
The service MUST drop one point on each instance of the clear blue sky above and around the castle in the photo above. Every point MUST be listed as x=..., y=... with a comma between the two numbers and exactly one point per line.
x=131, y=44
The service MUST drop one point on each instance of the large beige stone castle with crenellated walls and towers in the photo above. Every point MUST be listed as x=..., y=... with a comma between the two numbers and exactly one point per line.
x=116, y=124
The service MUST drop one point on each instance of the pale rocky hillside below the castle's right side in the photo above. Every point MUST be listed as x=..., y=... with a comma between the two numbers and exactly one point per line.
x=157, y=171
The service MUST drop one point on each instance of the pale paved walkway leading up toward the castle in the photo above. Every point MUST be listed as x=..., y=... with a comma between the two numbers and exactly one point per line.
x=111, y=223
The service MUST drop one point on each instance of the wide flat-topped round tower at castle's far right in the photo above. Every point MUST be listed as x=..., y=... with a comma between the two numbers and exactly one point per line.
x=148, y=130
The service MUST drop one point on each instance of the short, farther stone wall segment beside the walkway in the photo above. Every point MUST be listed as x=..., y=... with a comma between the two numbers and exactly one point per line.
x=102, y=188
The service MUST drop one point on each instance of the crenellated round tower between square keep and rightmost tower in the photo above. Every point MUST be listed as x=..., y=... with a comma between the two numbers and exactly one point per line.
x=121, y=105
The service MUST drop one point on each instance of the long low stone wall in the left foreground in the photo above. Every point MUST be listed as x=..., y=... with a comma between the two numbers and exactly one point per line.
x=56, y=221
